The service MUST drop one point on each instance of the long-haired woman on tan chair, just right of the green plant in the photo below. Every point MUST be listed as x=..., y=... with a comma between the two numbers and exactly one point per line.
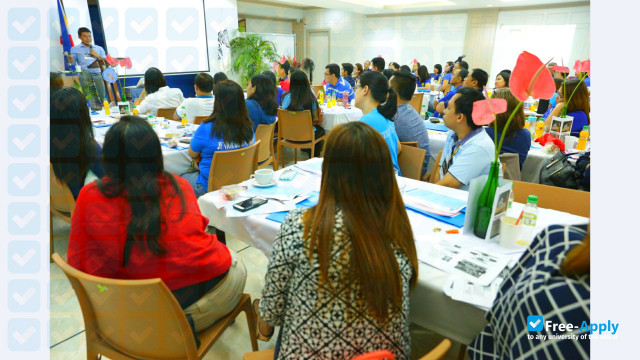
x=300, y=97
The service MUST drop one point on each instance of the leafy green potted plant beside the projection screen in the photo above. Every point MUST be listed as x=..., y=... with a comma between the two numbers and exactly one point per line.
x=251, y=55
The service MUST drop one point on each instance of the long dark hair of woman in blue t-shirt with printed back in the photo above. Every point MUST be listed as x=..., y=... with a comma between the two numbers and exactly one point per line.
x=230, y=116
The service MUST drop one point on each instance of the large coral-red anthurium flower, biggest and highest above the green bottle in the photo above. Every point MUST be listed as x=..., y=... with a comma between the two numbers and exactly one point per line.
x=530, y=77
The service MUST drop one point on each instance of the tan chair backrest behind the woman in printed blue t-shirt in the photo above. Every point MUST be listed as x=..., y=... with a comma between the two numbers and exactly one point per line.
x=233, y=166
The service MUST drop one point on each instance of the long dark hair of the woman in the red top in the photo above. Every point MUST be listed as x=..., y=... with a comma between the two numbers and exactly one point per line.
x=133, y=163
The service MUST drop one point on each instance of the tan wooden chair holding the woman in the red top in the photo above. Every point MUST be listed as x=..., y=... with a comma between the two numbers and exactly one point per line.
x=133, y=319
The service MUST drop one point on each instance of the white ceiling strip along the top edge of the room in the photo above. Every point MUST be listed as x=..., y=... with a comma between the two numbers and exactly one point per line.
x=402, y=6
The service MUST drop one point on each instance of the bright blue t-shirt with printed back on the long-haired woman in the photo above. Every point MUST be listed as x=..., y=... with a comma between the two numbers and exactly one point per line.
x=207, y=145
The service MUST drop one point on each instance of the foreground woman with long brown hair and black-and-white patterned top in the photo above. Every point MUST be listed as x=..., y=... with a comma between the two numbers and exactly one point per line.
x=319, y=275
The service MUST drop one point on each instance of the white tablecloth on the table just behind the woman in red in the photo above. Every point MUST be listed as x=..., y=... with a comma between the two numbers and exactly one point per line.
x=175, y=161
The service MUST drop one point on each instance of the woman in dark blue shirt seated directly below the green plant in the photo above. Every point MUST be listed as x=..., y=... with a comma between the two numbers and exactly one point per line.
x=261, y=101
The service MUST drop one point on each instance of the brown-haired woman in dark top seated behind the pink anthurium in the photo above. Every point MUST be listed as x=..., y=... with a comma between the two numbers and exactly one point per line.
x=517, y=139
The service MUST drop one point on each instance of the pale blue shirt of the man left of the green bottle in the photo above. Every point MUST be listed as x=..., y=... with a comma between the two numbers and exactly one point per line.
x=472, y=158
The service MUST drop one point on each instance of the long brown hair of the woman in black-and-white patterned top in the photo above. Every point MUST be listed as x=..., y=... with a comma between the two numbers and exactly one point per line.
x=357, y=177
